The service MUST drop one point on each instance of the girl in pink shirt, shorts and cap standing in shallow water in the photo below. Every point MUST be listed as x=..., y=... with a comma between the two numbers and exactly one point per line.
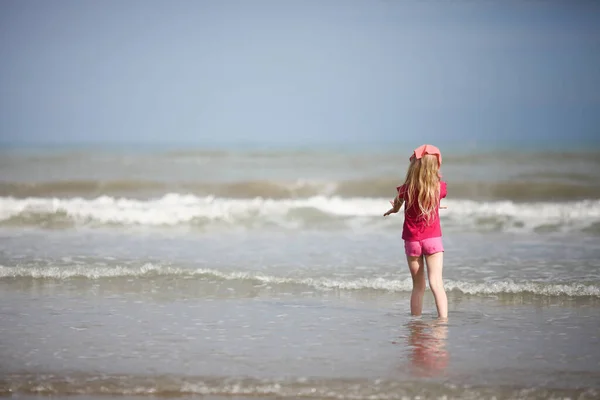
x=422, y=233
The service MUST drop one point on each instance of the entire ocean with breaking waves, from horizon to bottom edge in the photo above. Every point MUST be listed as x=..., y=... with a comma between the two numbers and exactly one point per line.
x=271, y=273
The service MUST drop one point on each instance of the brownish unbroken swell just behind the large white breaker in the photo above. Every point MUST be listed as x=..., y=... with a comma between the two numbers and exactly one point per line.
x=549, y=187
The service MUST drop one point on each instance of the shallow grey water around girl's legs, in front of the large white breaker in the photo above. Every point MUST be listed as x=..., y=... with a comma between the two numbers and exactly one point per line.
x=279, y=315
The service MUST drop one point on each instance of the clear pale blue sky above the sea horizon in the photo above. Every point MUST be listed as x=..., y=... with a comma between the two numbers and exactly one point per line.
x=287, y=71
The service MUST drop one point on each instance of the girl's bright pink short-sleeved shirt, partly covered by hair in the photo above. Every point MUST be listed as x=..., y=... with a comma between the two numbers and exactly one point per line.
x=415, y=227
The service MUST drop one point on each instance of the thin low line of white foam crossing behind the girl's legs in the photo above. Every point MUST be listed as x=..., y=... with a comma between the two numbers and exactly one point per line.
x=150, y=271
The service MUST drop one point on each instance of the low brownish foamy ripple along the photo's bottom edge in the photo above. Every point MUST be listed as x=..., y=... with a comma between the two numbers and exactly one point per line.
x=303, y=387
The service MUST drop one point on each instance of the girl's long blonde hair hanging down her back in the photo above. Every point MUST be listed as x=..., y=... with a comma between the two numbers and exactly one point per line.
x=422, y=185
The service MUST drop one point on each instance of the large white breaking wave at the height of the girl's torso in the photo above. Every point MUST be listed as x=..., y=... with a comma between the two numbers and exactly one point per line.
x=313, y=212
